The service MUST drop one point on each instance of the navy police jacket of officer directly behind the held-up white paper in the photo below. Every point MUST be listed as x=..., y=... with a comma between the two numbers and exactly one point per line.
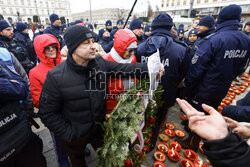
x=171, y=54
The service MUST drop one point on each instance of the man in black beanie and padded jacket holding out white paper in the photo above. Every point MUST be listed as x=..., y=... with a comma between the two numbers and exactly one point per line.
x=73, y=95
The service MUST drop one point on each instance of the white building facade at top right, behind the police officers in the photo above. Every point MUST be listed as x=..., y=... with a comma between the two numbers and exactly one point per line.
x=202, y=7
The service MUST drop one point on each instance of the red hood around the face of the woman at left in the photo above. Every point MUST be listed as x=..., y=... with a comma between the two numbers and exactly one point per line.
x=40, y=42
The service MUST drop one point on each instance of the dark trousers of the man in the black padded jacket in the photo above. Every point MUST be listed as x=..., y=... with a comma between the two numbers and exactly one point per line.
x=76, y=147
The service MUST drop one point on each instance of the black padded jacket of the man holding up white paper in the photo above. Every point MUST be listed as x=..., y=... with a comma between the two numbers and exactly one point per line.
x=73, y=96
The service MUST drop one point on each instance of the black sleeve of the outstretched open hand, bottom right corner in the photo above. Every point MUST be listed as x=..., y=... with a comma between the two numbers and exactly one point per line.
x=231, y=151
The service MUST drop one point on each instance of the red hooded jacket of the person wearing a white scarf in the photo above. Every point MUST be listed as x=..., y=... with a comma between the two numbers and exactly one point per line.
x=122, y=40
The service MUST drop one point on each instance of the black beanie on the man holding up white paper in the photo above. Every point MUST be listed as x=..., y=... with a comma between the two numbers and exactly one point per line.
x=75, y=35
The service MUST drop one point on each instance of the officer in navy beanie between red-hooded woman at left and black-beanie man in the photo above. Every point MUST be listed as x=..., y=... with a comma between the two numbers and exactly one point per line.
x=54, y=29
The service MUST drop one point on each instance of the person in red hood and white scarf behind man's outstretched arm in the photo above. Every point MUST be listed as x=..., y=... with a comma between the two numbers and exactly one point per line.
x=125, y=43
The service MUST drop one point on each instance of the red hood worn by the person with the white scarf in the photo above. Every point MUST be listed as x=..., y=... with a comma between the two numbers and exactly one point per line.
x=123, y=38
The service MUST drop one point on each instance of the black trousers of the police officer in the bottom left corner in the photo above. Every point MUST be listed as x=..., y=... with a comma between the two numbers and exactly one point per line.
x=30, y=156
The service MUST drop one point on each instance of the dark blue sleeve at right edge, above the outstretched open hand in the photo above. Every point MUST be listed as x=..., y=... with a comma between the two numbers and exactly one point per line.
x=240, y=112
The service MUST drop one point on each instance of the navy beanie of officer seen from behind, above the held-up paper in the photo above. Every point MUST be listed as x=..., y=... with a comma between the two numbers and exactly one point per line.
x=163, y=20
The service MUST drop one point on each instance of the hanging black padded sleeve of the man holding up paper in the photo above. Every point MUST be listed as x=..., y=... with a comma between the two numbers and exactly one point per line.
x=50, y=104
